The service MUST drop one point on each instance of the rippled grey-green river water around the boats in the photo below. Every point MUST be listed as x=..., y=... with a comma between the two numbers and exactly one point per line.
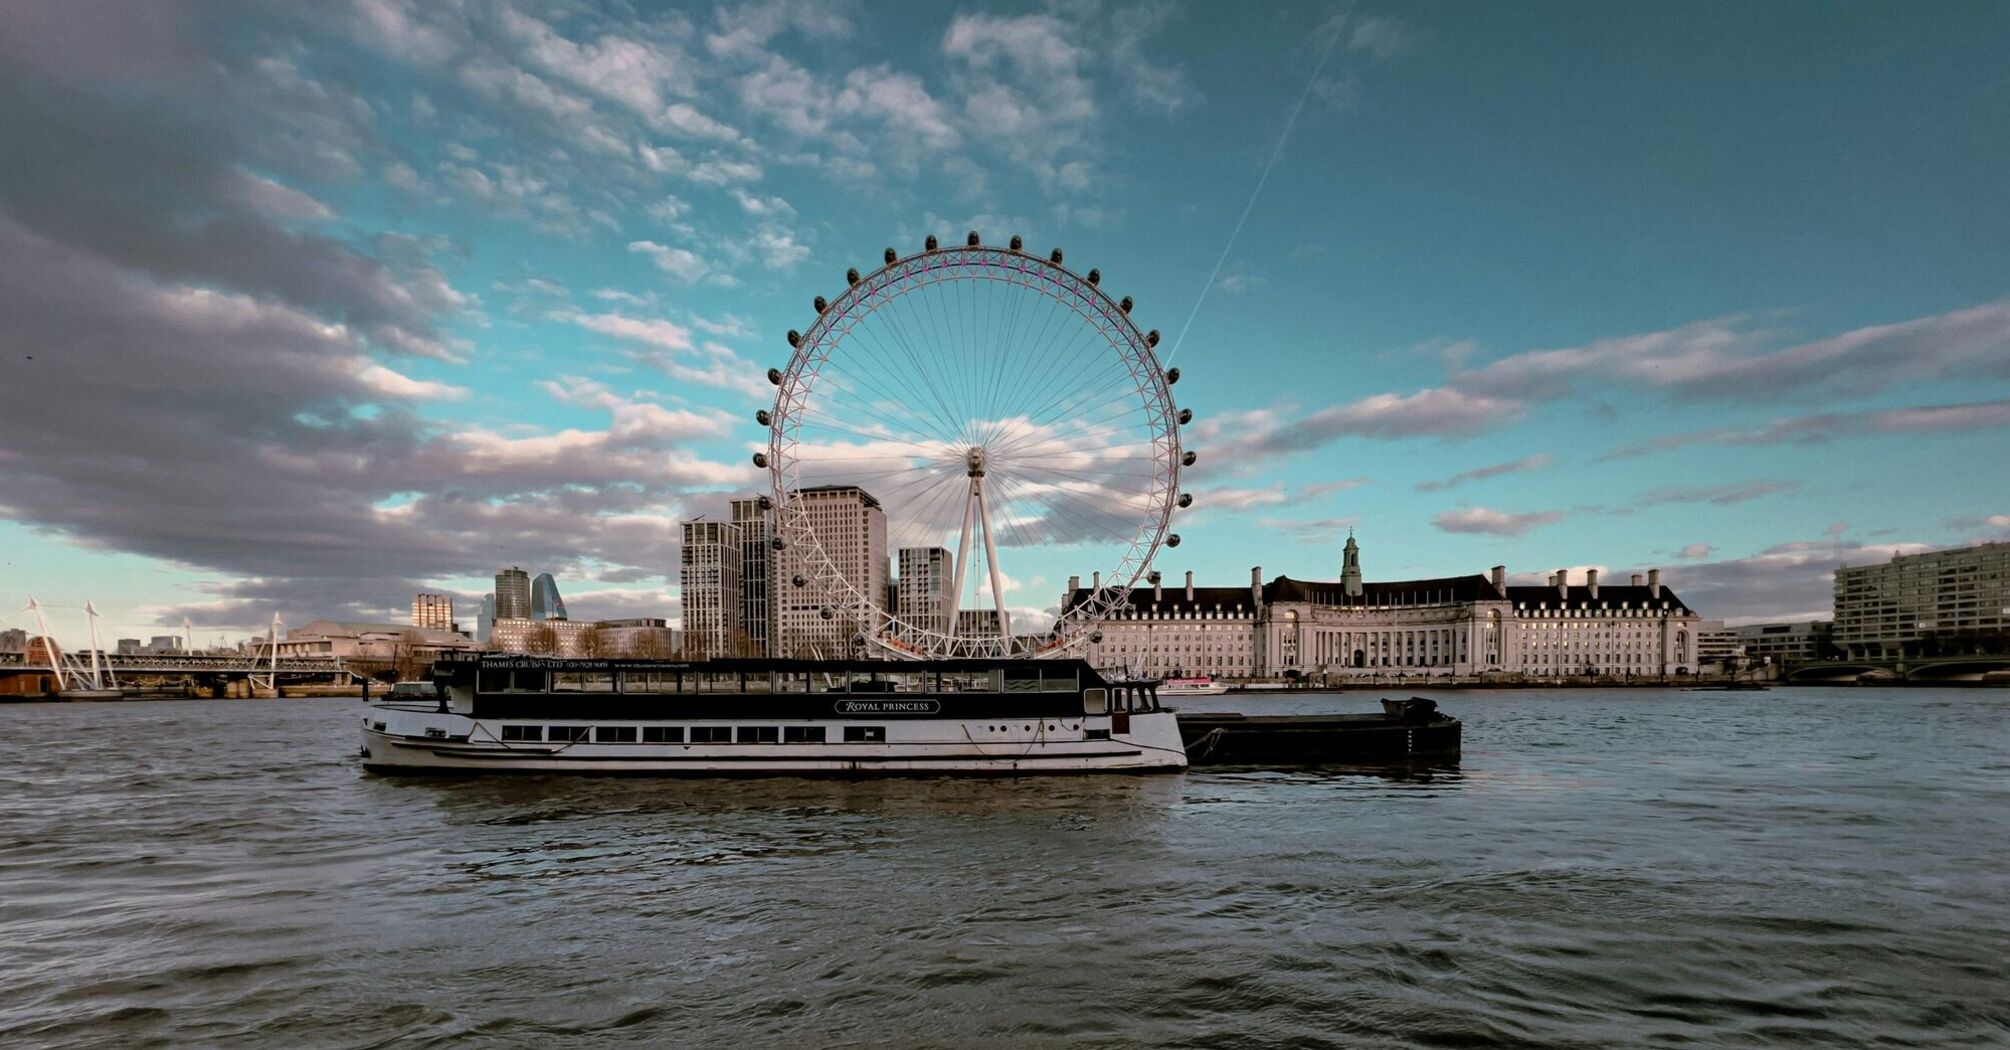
x=1798, y=868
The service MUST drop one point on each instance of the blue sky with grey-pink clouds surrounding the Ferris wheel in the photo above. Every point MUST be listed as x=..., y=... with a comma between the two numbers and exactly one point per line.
x=311, y=307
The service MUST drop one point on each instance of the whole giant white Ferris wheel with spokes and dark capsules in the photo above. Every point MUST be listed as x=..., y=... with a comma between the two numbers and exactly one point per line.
x=992, y=401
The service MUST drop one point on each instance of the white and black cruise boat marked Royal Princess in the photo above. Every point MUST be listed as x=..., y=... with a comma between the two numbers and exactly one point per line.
x=773, y=717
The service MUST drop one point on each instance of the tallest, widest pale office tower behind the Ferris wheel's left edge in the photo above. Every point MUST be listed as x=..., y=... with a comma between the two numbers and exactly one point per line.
x=851, y=530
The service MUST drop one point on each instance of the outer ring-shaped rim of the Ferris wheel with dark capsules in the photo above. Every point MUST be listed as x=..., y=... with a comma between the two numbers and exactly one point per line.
x=891, y=283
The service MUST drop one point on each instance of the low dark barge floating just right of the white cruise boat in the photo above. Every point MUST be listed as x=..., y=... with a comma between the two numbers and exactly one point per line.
x=1406, y=731
